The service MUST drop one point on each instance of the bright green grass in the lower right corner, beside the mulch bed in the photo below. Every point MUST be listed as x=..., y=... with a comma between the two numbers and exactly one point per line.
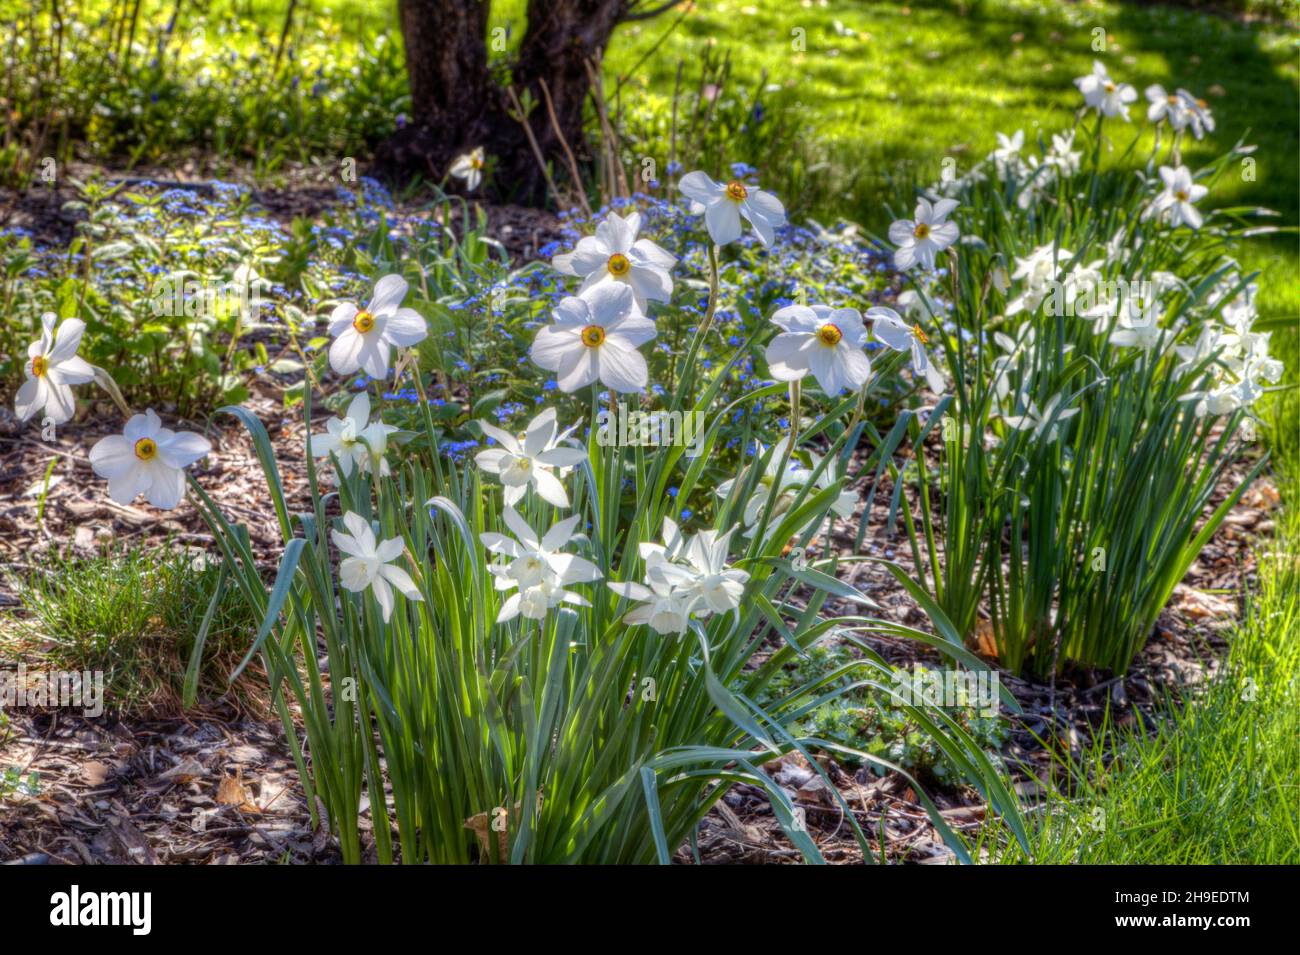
x=1219, y=783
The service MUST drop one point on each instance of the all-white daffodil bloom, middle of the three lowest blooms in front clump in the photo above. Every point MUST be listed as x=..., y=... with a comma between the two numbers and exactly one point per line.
x=538, y=567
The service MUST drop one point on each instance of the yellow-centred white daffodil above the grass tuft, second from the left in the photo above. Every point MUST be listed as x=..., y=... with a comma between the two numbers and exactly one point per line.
x=148, y=459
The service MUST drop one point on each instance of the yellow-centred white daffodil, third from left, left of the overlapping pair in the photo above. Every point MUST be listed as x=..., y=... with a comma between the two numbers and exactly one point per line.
x=365, y=337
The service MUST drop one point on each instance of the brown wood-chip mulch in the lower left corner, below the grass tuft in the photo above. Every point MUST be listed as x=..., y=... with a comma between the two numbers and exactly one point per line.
x=218, y=789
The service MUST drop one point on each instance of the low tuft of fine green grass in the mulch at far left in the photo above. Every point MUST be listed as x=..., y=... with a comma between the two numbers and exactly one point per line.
x=135, y=615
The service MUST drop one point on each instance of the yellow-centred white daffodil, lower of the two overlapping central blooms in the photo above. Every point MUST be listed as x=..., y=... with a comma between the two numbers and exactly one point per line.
x=596, y=337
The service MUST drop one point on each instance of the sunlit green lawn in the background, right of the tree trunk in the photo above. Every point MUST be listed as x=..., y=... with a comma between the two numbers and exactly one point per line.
x=887, y=90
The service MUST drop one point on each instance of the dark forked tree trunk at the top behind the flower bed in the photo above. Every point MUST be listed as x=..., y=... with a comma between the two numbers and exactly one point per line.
x=457, y=105
